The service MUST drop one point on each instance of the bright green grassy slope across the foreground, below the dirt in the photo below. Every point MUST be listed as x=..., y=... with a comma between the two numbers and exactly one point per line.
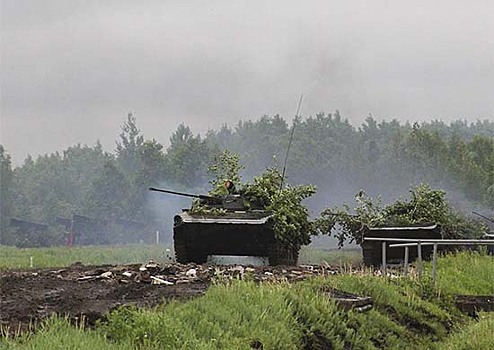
x=408, y=314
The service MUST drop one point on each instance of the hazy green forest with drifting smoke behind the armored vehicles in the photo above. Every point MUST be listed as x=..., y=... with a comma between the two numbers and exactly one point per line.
x=106, y=192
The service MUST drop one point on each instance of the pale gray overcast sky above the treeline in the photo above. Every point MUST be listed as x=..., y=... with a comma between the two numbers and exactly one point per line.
x=71, y=70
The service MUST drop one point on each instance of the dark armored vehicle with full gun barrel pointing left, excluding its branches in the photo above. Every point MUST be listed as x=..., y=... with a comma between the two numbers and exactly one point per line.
x=227, y=225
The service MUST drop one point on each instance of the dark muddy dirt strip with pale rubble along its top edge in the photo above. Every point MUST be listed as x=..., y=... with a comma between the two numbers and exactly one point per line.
x=90, y=292
